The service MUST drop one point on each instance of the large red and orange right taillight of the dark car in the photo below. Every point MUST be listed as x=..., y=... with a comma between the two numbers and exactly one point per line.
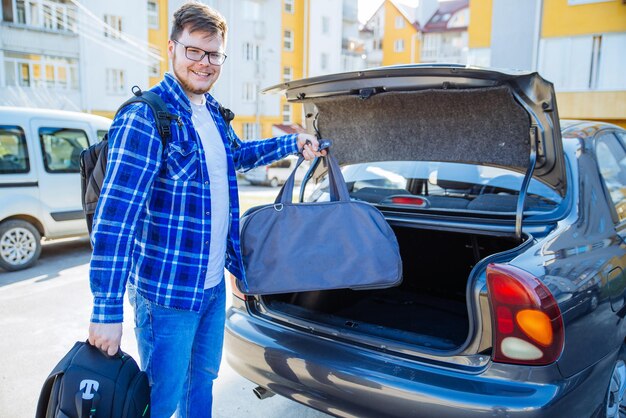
x=527, y=322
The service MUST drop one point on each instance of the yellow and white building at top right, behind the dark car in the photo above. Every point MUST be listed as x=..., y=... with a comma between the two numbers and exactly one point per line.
x=576, y=44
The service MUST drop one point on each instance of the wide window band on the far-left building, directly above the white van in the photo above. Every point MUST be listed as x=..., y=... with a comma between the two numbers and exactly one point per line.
x=28, y=70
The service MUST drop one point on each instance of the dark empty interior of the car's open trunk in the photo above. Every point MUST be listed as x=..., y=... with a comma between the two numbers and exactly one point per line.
x=428, y=309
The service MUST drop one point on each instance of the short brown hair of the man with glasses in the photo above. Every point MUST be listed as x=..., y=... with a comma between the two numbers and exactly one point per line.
x=196, y=16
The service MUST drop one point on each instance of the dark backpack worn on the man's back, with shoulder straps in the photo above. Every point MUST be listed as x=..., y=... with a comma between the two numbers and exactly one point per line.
x=93, y=160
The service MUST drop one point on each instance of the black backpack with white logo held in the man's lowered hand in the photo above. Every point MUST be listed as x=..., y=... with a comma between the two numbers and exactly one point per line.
x=89, y=384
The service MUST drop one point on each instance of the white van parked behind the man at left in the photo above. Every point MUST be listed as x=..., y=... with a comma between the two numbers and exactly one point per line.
x=40, y=178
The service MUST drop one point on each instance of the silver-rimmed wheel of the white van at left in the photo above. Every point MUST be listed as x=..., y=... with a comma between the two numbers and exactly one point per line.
x=20, y=245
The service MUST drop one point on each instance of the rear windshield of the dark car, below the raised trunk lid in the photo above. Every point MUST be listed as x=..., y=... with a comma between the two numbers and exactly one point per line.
x=439, y=185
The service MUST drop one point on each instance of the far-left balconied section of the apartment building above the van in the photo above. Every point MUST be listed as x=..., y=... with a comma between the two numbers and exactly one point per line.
x=40, y=54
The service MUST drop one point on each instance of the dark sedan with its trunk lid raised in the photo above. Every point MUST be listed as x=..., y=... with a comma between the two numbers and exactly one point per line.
x=511, y=226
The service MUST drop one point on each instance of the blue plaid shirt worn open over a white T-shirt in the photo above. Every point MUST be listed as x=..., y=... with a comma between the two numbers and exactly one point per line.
x=153, y=221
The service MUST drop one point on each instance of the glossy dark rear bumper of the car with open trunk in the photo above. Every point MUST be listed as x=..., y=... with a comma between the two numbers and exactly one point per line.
x=345, y=380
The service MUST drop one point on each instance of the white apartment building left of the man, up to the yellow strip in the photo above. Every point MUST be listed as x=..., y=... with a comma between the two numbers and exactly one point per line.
x=76, y=55
